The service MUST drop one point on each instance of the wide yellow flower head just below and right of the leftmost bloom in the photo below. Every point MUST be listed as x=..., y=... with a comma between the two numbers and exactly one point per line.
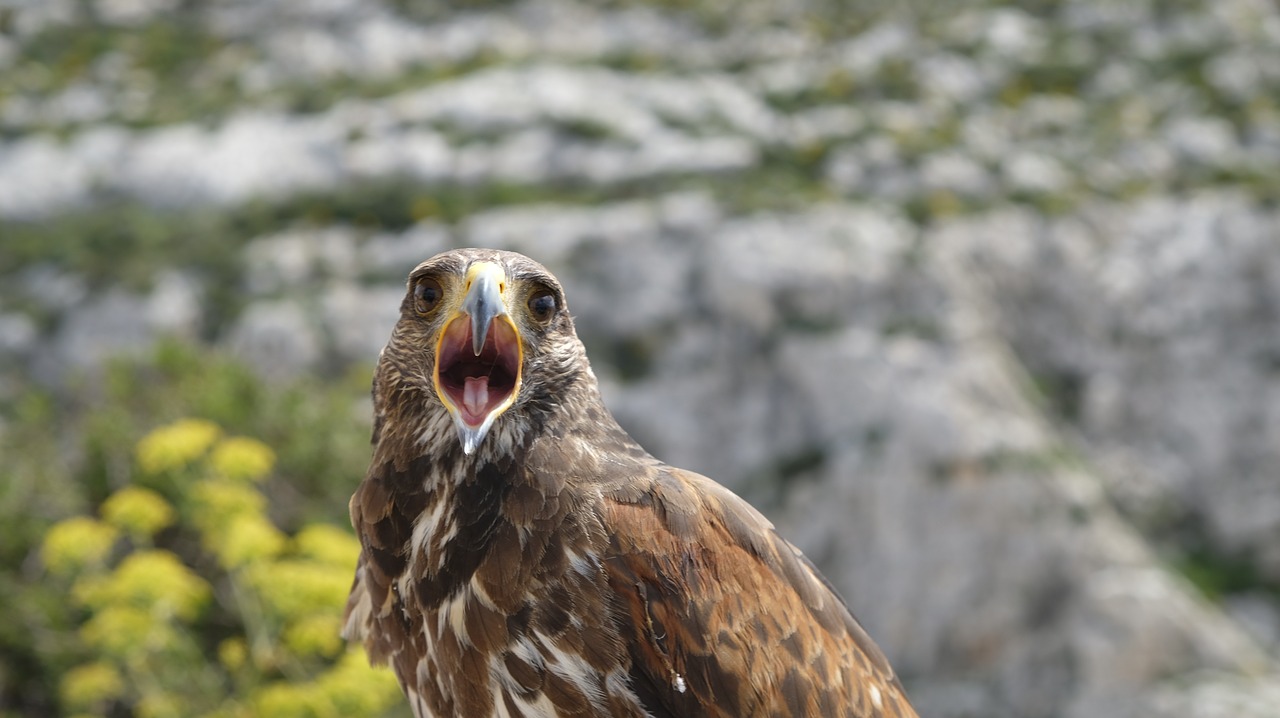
x=153, y=582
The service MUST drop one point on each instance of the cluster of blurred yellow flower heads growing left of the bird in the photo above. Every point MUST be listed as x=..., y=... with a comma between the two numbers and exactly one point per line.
x=194, y=603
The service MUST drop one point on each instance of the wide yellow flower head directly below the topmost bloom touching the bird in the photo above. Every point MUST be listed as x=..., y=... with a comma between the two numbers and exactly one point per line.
x=292, y=589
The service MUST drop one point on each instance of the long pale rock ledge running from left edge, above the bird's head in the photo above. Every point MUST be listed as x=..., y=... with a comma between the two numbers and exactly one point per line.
x=269, y=154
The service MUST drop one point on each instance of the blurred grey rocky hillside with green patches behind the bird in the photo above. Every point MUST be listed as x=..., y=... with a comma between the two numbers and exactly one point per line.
x=980, y=301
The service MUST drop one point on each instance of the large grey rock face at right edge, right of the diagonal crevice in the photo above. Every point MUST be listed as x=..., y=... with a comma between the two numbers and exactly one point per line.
x=1162, y=318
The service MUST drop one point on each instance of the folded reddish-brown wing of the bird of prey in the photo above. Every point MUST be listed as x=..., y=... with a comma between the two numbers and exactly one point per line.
x=726, y=619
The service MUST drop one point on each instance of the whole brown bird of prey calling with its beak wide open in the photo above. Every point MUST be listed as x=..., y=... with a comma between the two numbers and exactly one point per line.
x=523, y=557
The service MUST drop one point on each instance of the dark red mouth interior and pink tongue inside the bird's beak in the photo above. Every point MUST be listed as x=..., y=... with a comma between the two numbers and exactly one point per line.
x=478, y=385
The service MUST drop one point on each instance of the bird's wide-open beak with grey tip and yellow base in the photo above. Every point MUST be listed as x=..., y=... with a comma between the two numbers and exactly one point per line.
x=479, y=356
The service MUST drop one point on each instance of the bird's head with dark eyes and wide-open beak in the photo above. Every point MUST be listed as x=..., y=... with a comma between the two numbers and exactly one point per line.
x=484, y=333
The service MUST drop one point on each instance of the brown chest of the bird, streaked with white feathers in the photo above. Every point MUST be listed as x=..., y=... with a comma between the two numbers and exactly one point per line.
x=516, y=618
